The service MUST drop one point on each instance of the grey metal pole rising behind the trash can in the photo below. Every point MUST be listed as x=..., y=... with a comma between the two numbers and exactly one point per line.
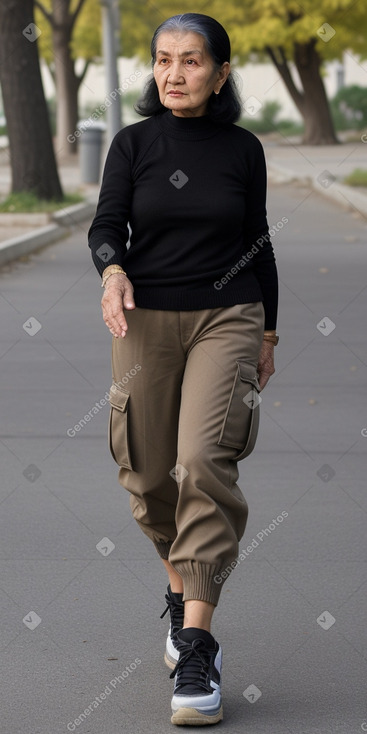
x=110, y=54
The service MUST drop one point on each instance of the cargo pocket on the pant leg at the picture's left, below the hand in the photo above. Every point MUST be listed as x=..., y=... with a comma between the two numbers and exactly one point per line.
x=118, y=436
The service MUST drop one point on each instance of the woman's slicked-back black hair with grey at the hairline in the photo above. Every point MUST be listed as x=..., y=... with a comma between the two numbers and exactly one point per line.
x=225, y=107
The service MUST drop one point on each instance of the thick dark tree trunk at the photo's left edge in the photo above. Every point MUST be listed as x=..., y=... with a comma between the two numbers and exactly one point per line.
x=32, y=155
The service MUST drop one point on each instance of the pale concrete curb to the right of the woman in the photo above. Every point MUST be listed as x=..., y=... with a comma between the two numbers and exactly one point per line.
x=347, y=196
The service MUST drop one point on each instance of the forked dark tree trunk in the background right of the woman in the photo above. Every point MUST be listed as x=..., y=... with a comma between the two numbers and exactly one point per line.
x=312, y=101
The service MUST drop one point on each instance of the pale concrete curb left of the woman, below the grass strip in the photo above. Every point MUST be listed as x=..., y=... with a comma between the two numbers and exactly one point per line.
x=63, y=221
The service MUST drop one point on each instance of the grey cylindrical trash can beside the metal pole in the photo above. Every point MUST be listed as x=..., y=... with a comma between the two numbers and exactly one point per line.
x=90, y=142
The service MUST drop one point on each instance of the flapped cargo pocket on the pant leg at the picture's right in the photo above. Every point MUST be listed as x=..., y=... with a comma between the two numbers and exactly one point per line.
x=241, y=422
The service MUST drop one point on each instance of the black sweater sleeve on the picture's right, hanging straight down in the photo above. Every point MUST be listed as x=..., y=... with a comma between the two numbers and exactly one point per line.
x=257, y=239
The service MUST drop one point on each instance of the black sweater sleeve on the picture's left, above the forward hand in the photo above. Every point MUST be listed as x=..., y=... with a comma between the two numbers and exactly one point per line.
x=108, y=234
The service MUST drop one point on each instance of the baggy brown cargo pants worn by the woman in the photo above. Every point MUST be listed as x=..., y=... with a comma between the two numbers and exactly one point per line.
x=184, y=410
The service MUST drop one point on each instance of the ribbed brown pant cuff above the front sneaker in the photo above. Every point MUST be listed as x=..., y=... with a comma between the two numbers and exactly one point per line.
x=202, y=581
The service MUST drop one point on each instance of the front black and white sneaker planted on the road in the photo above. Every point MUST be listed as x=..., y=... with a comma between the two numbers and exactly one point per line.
x=197, y=696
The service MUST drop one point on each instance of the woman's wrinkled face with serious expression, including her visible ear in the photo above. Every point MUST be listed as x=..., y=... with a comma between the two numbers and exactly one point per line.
x=185, y=73
